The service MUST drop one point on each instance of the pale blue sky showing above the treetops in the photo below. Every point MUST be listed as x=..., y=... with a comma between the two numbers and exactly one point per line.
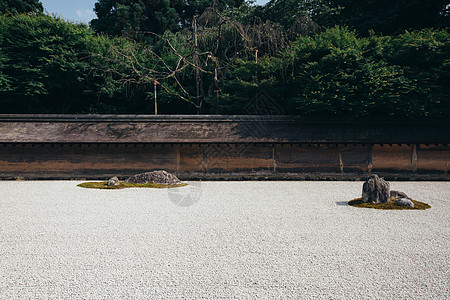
x=80, y=10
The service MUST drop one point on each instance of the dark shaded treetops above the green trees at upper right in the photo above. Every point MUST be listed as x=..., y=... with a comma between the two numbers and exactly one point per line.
x=381, y=16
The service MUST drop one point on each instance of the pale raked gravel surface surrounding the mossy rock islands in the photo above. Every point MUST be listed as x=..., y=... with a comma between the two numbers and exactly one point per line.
x=212, y=240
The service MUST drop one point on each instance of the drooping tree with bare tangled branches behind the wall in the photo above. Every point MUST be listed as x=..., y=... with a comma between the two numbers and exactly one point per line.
x=203, y=51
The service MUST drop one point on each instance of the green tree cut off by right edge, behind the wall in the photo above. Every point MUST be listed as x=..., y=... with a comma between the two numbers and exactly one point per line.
x=424, y=57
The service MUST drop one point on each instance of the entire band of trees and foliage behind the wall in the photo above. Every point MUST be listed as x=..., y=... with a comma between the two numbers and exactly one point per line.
x=233, y=58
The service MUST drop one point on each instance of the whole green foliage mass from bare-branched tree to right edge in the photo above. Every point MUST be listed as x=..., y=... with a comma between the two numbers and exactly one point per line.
x=338, y=74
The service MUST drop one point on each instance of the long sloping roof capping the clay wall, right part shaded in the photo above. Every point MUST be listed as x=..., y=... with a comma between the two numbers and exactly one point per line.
x=209, y=129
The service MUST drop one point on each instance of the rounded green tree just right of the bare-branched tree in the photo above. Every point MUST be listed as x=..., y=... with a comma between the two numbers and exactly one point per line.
x=336, y=77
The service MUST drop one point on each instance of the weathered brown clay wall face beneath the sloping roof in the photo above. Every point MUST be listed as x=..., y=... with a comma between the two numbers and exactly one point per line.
x=225, y=161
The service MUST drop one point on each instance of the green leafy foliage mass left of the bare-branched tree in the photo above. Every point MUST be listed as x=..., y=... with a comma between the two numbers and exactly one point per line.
x=48, y=65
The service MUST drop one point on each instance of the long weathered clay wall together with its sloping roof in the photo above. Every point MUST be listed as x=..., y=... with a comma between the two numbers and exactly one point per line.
x=219, y=147
